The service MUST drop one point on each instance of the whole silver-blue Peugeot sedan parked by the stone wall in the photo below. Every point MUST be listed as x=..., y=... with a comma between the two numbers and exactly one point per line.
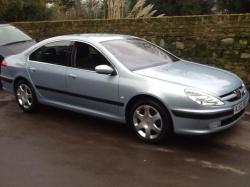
x=127, y=79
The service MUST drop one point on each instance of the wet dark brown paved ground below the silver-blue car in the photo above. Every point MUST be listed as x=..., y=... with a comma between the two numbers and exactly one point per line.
x=57, y=148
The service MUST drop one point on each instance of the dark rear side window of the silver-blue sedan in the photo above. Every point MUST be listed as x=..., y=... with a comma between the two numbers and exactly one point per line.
x=53, y=53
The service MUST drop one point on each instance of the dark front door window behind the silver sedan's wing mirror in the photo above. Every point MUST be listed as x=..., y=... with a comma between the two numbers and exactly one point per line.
x=87, y=57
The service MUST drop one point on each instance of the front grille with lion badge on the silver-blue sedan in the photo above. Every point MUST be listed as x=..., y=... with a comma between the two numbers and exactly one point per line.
x=234, y=95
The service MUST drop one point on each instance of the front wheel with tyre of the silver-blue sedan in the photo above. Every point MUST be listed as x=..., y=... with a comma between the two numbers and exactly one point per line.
x=150, y=121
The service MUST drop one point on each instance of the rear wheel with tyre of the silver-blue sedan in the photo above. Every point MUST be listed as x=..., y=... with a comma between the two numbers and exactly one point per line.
x=25, y=96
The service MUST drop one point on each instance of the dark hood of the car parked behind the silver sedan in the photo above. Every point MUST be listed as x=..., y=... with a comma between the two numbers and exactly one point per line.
x=13, y=49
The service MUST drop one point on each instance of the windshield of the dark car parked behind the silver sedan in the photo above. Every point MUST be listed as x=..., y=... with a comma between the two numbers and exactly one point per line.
x=10, y=34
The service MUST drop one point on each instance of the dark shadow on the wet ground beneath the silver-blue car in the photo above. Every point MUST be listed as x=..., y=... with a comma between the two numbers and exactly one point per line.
x=110, y=133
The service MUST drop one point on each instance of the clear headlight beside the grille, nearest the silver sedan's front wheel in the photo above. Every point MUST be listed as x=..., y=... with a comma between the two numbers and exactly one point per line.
x=202, y=98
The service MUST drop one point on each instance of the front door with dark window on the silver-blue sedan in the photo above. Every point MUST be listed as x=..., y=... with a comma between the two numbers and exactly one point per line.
x=89, y=90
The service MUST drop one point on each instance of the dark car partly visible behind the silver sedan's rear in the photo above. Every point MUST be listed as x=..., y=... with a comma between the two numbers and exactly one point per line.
x=12, y=41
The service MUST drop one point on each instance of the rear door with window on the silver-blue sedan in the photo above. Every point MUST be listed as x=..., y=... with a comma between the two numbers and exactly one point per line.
x=47, y=69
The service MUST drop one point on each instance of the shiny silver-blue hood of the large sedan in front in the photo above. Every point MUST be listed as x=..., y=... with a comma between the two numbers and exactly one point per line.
x=194, y=75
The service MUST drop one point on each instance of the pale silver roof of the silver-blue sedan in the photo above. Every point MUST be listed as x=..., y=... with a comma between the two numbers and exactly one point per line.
x=96, y=37
